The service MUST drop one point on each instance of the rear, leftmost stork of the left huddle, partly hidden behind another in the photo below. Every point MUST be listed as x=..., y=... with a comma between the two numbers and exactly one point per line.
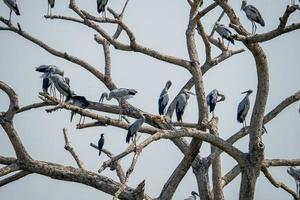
x=45, y=69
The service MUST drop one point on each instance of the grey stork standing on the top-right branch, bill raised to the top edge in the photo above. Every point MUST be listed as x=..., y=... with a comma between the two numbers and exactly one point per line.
x=253, y=15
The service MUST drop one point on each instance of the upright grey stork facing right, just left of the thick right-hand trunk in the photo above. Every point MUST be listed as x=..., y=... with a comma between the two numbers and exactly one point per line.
x=243, y=108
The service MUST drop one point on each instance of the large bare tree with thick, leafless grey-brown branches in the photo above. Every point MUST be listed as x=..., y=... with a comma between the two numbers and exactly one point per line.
x=249, y=164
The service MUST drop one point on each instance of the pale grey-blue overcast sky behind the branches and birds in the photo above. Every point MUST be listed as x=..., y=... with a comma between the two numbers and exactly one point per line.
x=161, y=25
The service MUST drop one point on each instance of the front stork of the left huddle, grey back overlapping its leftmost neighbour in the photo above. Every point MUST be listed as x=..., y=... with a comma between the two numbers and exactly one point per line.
x=60, y=84
